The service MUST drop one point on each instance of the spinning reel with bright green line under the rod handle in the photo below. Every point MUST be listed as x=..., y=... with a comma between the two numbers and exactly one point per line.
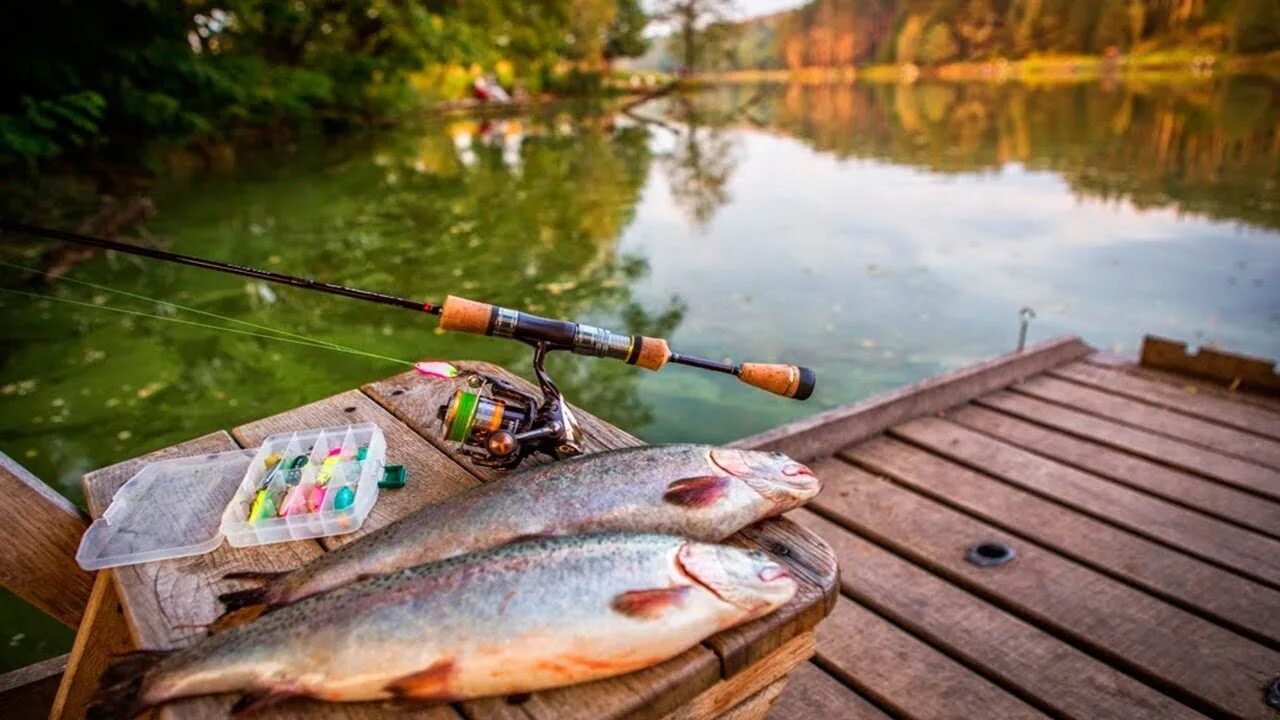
x=497, y=425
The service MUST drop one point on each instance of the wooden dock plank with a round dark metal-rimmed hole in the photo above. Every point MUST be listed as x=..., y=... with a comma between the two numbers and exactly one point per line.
x=1195, y=662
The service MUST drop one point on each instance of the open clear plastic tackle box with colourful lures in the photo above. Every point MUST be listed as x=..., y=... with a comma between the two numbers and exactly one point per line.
x=296, y=486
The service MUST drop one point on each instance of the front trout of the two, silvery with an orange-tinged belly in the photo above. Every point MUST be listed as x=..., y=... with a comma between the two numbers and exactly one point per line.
x=525, y=617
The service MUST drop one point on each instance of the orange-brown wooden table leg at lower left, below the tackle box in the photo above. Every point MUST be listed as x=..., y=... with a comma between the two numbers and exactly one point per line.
x=102, y=636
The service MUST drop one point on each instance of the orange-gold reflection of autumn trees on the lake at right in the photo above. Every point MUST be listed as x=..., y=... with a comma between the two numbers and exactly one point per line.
x=1210, y=148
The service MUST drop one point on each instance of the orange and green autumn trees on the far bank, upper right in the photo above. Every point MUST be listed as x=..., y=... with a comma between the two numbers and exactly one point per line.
x=847, y=33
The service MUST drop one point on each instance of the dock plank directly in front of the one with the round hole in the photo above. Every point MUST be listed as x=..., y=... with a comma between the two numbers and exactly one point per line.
x=1053, y=676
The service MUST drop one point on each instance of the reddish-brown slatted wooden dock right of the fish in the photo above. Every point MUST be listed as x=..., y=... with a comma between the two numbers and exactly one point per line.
x=1142, y=511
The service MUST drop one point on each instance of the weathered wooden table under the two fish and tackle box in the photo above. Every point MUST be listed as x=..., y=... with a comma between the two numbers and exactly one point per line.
x=737, y=673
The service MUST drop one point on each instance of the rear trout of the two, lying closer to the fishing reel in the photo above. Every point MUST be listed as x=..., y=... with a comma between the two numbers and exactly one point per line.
x=694, y=491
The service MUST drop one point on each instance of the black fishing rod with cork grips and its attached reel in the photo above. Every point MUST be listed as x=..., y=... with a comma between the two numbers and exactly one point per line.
x=495, y=418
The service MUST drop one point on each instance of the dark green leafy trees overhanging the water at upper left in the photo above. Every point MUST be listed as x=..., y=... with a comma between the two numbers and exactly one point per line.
x=113, y=76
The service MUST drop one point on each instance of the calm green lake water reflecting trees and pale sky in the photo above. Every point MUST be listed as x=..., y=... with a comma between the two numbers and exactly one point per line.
x=880, y=235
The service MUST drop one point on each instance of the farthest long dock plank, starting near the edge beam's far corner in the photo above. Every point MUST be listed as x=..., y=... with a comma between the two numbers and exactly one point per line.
x=1206, y=407
